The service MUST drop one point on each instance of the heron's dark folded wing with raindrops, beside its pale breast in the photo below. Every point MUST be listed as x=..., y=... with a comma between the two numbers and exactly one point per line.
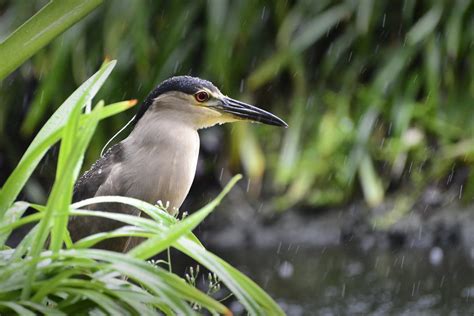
x=90, y=182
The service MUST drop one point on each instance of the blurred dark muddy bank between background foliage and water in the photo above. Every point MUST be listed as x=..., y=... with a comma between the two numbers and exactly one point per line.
x=444, y=223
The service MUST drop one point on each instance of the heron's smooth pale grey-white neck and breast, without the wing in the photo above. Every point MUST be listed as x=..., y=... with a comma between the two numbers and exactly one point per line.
x=163, y=153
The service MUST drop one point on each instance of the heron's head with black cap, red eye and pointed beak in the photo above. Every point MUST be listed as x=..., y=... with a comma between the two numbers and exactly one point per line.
x=199, y=102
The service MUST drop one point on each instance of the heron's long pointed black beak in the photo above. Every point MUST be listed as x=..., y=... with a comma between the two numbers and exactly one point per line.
x=249, y=112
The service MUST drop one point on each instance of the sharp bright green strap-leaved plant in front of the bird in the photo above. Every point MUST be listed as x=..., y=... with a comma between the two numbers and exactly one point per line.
x=77, y=279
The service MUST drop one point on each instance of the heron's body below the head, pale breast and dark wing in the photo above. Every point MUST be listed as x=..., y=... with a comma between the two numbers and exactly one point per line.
x=135, y=169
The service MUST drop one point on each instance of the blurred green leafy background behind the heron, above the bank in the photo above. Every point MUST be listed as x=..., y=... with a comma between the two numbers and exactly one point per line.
x=379, y=95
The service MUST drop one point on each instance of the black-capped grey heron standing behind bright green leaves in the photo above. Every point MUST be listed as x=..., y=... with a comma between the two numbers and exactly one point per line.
x=158, y=159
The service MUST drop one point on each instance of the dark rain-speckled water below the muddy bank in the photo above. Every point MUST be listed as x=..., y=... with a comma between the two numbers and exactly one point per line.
x=346, y=281
